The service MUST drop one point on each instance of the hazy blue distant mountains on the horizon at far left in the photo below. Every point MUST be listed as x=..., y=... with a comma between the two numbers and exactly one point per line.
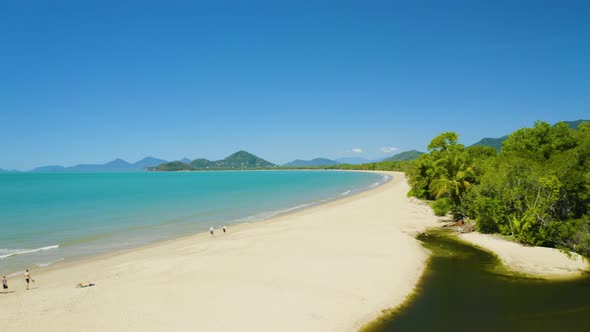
x=117, y=165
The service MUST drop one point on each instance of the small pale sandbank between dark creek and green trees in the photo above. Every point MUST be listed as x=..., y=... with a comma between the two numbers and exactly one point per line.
x=535, y=261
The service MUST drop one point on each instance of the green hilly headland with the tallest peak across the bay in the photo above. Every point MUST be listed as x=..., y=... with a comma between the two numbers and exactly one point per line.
x=238, y=160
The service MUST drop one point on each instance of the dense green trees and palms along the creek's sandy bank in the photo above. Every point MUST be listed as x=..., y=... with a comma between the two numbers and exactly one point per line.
x=536, y=189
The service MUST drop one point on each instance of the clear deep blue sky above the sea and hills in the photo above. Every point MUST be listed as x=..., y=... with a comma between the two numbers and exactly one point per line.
x=90, y=81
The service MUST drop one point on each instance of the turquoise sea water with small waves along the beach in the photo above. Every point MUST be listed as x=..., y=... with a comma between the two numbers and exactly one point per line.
x=46, y=218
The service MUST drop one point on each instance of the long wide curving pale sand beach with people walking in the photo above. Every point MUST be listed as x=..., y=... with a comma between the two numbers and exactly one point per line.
x=329, y=268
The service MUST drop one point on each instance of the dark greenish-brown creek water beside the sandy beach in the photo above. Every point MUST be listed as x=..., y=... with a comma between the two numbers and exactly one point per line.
x=468, y=289
